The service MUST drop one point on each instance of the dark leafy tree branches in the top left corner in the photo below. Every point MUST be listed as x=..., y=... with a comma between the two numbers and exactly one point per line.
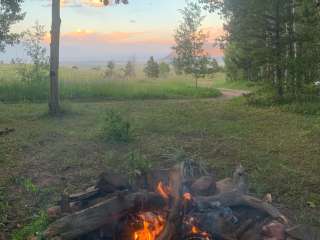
x=10, y=13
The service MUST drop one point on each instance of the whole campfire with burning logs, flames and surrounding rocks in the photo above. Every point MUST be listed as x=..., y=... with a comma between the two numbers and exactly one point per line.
x=184, y=202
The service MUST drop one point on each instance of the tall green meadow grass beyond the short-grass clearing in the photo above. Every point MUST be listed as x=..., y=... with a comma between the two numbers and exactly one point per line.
x=91, y=84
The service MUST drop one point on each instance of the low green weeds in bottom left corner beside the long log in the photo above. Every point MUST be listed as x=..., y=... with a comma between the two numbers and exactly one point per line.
x=39, y=224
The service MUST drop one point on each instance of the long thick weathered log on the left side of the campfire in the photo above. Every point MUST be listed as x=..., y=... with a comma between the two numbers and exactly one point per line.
x=104, y=214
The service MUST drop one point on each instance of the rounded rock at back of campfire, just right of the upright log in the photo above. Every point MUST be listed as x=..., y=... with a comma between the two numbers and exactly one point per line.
x=204, y=186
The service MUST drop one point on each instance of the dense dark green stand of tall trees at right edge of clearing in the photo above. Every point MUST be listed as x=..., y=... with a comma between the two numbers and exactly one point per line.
x=272, y=41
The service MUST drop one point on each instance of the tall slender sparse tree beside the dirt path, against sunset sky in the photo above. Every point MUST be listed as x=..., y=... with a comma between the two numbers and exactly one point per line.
x=190, y=55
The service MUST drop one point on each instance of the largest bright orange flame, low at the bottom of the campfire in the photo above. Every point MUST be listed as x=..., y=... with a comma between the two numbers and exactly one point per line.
x=152, y=227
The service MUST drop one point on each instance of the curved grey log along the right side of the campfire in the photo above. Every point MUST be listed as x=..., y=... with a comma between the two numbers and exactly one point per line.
x=236, y=198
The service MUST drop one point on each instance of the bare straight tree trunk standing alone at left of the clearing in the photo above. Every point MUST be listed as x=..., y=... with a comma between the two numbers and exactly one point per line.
x=54, y=107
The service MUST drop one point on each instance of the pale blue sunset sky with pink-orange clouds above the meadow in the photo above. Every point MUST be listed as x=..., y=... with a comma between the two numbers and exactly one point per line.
x=91, y=32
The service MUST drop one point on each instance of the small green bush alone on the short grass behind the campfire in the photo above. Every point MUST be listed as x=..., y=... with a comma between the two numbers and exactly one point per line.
x=116, y=128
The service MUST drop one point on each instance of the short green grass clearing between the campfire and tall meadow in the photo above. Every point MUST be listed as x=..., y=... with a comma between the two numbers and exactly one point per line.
x=279, y=149
